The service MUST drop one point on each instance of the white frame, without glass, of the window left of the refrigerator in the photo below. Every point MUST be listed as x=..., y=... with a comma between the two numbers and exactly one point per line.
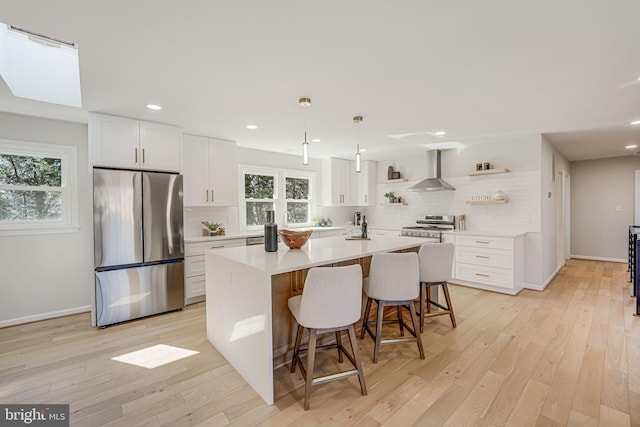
x=68, y=188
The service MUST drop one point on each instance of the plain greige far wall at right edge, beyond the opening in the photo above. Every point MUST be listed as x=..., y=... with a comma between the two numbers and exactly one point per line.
x=598, y=230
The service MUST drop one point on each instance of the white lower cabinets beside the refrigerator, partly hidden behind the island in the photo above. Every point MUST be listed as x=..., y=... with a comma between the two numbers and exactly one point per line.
x=194, y=266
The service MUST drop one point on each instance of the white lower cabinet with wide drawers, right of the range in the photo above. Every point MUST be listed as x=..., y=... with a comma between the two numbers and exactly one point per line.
x=492, y=263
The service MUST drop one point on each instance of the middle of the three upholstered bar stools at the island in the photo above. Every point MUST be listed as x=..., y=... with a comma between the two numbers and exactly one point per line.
x=393, y=281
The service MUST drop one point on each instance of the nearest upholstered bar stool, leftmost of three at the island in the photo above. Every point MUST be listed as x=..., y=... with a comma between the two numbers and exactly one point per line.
x=331, y=301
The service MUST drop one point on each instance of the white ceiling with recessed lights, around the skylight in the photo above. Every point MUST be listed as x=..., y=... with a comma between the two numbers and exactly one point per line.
x=480, y=70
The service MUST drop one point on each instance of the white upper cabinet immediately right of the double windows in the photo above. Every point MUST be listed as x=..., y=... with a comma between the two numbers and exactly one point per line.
x=337, y=183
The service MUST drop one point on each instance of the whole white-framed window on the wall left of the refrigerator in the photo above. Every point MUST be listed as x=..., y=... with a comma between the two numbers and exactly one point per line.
x=37, y=188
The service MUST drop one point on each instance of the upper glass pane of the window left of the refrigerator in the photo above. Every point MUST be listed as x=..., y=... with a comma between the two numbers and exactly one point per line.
x=30, y=170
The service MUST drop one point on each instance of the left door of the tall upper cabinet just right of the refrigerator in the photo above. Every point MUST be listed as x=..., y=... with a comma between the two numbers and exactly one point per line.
x=195, y=169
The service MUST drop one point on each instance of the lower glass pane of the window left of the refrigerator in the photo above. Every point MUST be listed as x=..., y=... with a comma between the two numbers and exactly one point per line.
x=19, y=205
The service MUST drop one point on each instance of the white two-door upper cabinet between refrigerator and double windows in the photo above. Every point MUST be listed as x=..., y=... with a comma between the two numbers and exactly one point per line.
x=209, y=170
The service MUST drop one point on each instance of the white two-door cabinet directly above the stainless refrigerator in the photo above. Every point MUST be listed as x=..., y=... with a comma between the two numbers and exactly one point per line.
x=133, y=144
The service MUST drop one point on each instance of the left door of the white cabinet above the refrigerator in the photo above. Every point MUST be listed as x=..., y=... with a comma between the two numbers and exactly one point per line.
x=114, y=141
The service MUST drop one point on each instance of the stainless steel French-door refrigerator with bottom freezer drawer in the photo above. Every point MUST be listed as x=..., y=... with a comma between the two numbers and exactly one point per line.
x=138, y=244
